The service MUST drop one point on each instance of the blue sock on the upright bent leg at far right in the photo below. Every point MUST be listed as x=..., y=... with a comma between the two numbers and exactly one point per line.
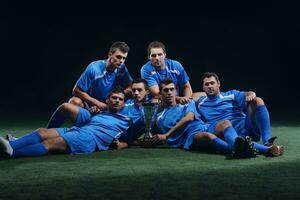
x=263, y=122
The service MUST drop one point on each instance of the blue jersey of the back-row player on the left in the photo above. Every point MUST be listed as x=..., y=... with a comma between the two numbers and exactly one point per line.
x=98, y=82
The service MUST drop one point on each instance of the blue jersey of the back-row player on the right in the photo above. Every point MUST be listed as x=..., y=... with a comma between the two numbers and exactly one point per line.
x=173, y=71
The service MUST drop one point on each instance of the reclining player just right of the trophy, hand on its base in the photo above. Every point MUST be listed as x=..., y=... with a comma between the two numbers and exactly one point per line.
x=180, y=125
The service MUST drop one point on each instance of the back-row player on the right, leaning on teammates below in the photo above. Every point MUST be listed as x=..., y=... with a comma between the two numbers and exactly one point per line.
x=159, y=67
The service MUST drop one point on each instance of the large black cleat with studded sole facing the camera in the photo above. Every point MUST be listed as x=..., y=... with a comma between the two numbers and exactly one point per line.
x=243, y=148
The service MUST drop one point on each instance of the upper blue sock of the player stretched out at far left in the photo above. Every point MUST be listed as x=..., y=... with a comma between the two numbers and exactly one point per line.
x=30, y=138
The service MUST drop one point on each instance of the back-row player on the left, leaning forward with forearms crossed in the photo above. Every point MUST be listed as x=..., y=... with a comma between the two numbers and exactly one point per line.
x=99, y=78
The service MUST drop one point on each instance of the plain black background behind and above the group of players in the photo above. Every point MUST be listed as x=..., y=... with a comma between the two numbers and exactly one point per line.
x=45, y=48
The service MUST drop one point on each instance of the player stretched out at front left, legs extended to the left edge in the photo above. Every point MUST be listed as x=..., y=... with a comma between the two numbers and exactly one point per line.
x=95, y=135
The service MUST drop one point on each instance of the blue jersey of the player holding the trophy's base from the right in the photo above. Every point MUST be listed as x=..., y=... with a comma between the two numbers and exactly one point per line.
x=169, y=117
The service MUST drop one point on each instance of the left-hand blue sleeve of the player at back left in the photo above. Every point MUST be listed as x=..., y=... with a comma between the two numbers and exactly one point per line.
x=86, y=79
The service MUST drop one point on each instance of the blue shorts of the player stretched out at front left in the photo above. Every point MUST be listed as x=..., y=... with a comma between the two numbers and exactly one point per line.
x=78, y=142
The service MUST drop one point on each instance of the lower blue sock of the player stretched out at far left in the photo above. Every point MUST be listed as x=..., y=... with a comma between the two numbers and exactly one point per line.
x=30, y=151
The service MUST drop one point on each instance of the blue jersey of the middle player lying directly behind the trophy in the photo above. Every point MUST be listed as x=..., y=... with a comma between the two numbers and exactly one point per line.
x=136, y=113
